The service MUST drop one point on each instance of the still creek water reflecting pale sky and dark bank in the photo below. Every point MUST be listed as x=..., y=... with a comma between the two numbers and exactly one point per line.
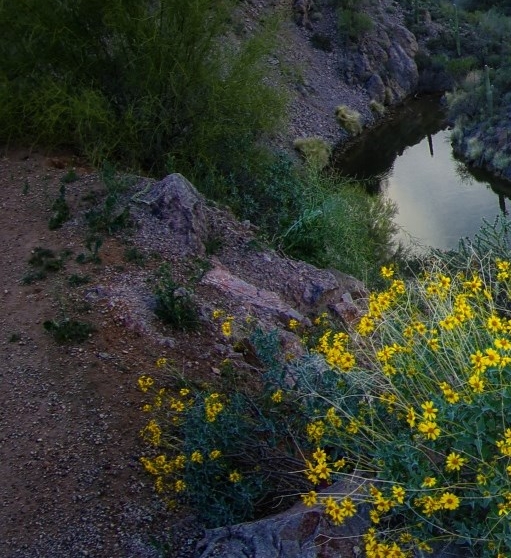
x=410, y=160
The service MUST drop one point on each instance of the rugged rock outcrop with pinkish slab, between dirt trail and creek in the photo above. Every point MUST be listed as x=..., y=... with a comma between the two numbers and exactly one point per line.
x=217, y=258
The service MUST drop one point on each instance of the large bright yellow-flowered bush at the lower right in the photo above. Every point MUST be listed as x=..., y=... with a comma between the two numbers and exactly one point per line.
x=422, y=405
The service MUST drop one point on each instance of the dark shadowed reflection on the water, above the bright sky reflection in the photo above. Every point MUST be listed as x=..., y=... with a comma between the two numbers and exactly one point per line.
x=374, y=154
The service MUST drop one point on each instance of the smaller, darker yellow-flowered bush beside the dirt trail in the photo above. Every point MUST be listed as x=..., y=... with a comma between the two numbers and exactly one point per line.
x=233, y=456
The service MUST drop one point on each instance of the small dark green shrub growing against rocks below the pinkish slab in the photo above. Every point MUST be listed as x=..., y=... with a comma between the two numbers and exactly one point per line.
x=174, y=304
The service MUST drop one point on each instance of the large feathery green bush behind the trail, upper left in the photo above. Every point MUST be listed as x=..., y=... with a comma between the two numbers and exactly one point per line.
x=134, y=82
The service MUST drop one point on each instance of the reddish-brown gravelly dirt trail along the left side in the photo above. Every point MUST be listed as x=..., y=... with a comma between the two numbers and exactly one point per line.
x=71, y=484
